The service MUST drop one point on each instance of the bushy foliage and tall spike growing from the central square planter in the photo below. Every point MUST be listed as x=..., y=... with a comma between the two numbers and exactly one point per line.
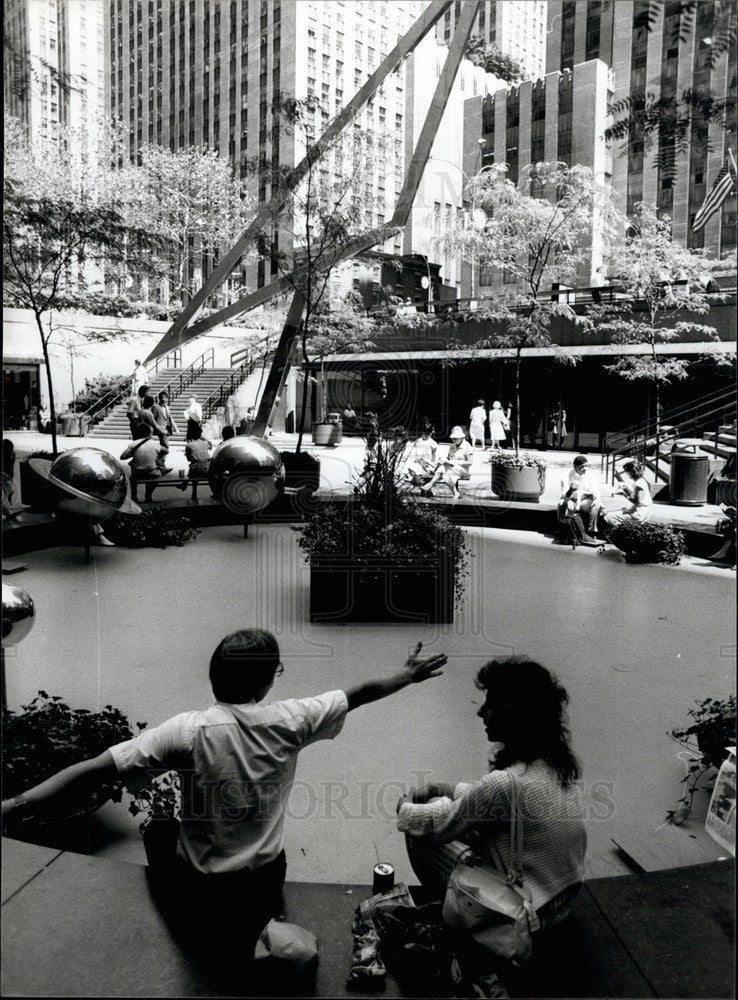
x=384, y=519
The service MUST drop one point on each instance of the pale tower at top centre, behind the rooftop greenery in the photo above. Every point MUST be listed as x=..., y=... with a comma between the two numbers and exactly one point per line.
x=516, y=27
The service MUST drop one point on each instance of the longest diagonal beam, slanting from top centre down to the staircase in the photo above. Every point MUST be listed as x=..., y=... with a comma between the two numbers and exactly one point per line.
x=177, y=334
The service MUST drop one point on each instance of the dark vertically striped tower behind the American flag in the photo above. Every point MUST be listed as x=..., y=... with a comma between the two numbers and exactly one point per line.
x=663, y=58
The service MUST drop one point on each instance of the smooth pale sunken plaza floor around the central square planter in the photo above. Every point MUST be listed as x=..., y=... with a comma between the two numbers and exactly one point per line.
x=634, y=645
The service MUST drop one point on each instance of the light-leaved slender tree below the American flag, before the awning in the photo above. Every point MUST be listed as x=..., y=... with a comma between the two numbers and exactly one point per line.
x=666, y=280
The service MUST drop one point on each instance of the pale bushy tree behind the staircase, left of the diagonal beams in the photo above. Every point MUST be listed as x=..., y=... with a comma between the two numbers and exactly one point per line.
x=191, y=199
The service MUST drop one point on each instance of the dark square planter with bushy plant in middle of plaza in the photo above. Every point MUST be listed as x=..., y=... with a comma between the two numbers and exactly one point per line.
x=384, y=557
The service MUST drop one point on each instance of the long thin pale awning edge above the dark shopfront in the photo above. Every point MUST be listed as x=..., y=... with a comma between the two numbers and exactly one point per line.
x=586, y=350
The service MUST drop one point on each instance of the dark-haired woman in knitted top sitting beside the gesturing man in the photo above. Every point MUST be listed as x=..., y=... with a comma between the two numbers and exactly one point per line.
x=523, y=713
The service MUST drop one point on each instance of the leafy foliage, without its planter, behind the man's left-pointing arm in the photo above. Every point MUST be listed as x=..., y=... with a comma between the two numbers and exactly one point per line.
x=48, y=735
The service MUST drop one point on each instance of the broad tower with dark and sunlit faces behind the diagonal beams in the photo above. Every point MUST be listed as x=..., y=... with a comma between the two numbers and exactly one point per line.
x=206, y=72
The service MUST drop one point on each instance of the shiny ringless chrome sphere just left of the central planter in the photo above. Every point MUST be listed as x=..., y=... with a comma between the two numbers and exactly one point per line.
x=246, y=474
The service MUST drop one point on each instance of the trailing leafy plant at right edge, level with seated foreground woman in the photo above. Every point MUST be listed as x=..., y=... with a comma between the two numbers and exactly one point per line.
x=713, y=729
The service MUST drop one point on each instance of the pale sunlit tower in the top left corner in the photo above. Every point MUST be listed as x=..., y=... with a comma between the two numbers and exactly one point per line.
x=54, y=71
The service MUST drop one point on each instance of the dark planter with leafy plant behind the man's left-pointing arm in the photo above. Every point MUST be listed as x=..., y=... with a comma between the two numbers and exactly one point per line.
x=45, y=737
